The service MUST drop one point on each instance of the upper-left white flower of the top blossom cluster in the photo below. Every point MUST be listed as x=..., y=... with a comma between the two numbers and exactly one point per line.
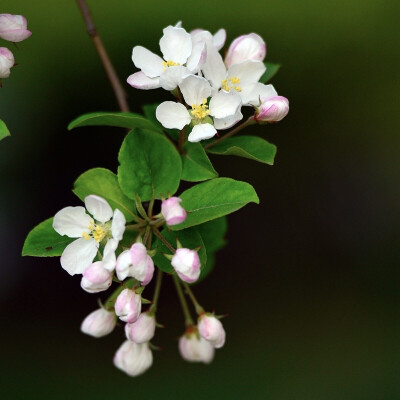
x=180, y=58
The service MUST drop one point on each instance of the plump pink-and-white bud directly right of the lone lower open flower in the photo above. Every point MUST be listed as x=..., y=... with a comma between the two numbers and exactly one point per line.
x=135, y=263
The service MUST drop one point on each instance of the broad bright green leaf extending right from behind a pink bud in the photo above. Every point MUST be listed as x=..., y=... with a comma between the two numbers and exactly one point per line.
x=213, y=199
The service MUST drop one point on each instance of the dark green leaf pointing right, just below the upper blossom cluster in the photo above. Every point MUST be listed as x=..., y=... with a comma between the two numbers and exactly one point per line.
x=252, y=147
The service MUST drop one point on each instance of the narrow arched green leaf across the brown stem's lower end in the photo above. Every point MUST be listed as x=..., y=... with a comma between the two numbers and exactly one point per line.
x=119, y=119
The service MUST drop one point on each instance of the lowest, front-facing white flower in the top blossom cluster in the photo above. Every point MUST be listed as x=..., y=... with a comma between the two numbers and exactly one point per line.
x=196, y=90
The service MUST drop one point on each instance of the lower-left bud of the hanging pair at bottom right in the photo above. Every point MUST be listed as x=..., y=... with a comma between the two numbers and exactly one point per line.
x=195, y=349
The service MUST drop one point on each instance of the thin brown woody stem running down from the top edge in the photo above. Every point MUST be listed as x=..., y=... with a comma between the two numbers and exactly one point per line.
x=105, y=59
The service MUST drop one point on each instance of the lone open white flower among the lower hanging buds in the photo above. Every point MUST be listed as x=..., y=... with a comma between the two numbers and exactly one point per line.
x=74, y=222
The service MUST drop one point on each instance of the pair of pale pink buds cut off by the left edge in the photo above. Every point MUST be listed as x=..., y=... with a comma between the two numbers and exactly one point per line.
x=13, y=28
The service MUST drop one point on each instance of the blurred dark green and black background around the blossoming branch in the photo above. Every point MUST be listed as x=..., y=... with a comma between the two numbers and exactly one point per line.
x=310, y=278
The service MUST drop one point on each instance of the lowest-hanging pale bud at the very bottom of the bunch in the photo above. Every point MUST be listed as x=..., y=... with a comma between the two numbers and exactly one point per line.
x=133, y=358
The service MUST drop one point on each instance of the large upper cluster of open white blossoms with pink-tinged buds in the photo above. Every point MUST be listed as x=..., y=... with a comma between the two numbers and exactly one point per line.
x=214, y=89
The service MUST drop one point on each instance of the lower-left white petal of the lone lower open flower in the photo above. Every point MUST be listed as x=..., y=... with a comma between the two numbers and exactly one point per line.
x=78, y=255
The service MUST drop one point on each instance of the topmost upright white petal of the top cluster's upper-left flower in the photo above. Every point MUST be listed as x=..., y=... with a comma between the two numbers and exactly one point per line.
x=176, y=45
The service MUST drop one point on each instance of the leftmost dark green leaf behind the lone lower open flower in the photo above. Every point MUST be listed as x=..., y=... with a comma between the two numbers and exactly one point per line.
x=44, y=241
